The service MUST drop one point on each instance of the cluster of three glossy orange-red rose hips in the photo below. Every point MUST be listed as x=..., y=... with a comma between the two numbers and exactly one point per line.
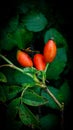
x=39, y=60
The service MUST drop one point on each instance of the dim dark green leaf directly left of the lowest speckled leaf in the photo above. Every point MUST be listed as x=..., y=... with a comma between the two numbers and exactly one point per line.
x=13, y=108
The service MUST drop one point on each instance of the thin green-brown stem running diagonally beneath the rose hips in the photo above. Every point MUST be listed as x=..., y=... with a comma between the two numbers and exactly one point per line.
x=41, y=84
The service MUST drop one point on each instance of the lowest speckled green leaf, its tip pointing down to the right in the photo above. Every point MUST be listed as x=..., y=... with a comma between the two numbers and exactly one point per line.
x=27, y=117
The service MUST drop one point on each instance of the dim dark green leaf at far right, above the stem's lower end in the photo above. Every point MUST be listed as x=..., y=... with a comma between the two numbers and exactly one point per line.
x=65, y=93
